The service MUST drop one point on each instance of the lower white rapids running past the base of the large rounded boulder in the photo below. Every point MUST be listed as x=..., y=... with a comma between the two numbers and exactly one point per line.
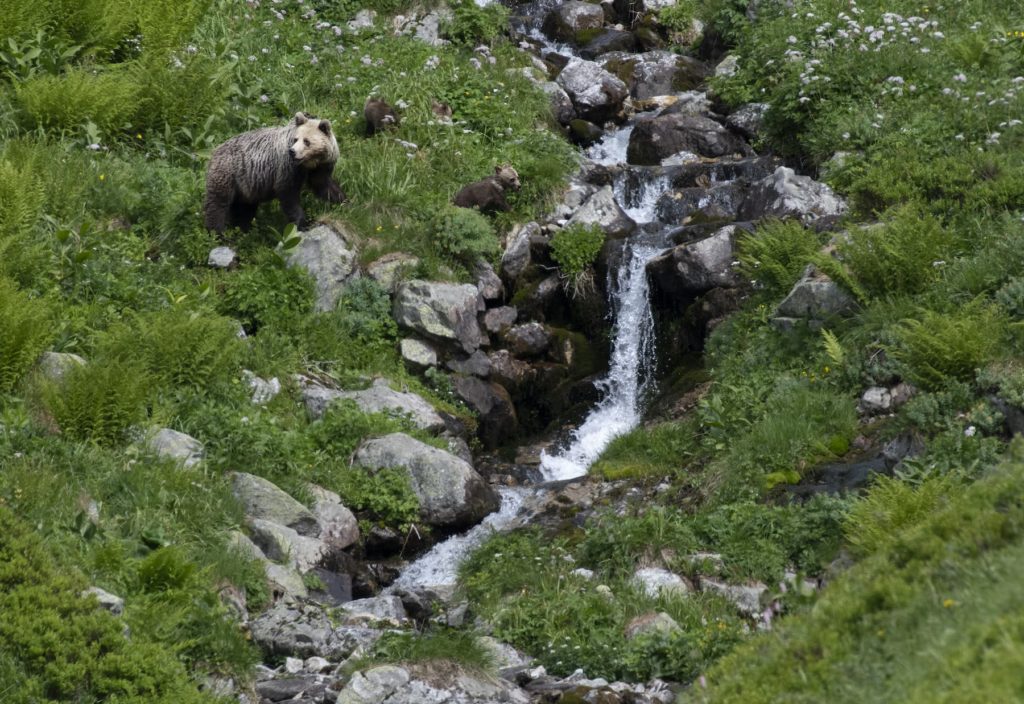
x=440, y=566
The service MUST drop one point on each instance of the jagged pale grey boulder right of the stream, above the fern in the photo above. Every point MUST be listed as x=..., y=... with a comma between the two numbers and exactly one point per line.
x=787, y=195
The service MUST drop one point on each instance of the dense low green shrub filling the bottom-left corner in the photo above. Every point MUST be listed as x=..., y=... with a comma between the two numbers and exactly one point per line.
x=62, y=647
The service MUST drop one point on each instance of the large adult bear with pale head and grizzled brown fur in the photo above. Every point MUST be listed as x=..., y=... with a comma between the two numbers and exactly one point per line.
x=271, y=163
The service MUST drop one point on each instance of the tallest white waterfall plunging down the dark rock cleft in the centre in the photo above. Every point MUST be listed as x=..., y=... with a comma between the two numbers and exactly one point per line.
x=620, y=410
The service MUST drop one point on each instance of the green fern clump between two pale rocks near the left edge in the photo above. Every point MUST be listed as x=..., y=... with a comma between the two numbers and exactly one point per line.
x=99, y=402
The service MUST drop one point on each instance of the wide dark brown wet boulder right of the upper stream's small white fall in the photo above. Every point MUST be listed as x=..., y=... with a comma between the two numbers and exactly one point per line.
x=656, y=140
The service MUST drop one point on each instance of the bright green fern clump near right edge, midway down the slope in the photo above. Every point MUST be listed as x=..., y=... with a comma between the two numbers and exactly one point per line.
x=943, y=347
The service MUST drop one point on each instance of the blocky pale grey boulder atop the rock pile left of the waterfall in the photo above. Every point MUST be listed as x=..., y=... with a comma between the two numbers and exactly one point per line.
x=442, y=312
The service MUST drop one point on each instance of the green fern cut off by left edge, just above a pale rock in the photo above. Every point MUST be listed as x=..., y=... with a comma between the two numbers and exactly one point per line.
x=26, y=329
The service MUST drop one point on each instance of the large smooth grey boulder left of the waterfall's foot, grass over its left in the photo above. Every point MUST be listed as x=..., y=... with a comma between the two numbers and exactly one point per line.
x=450, y=491
